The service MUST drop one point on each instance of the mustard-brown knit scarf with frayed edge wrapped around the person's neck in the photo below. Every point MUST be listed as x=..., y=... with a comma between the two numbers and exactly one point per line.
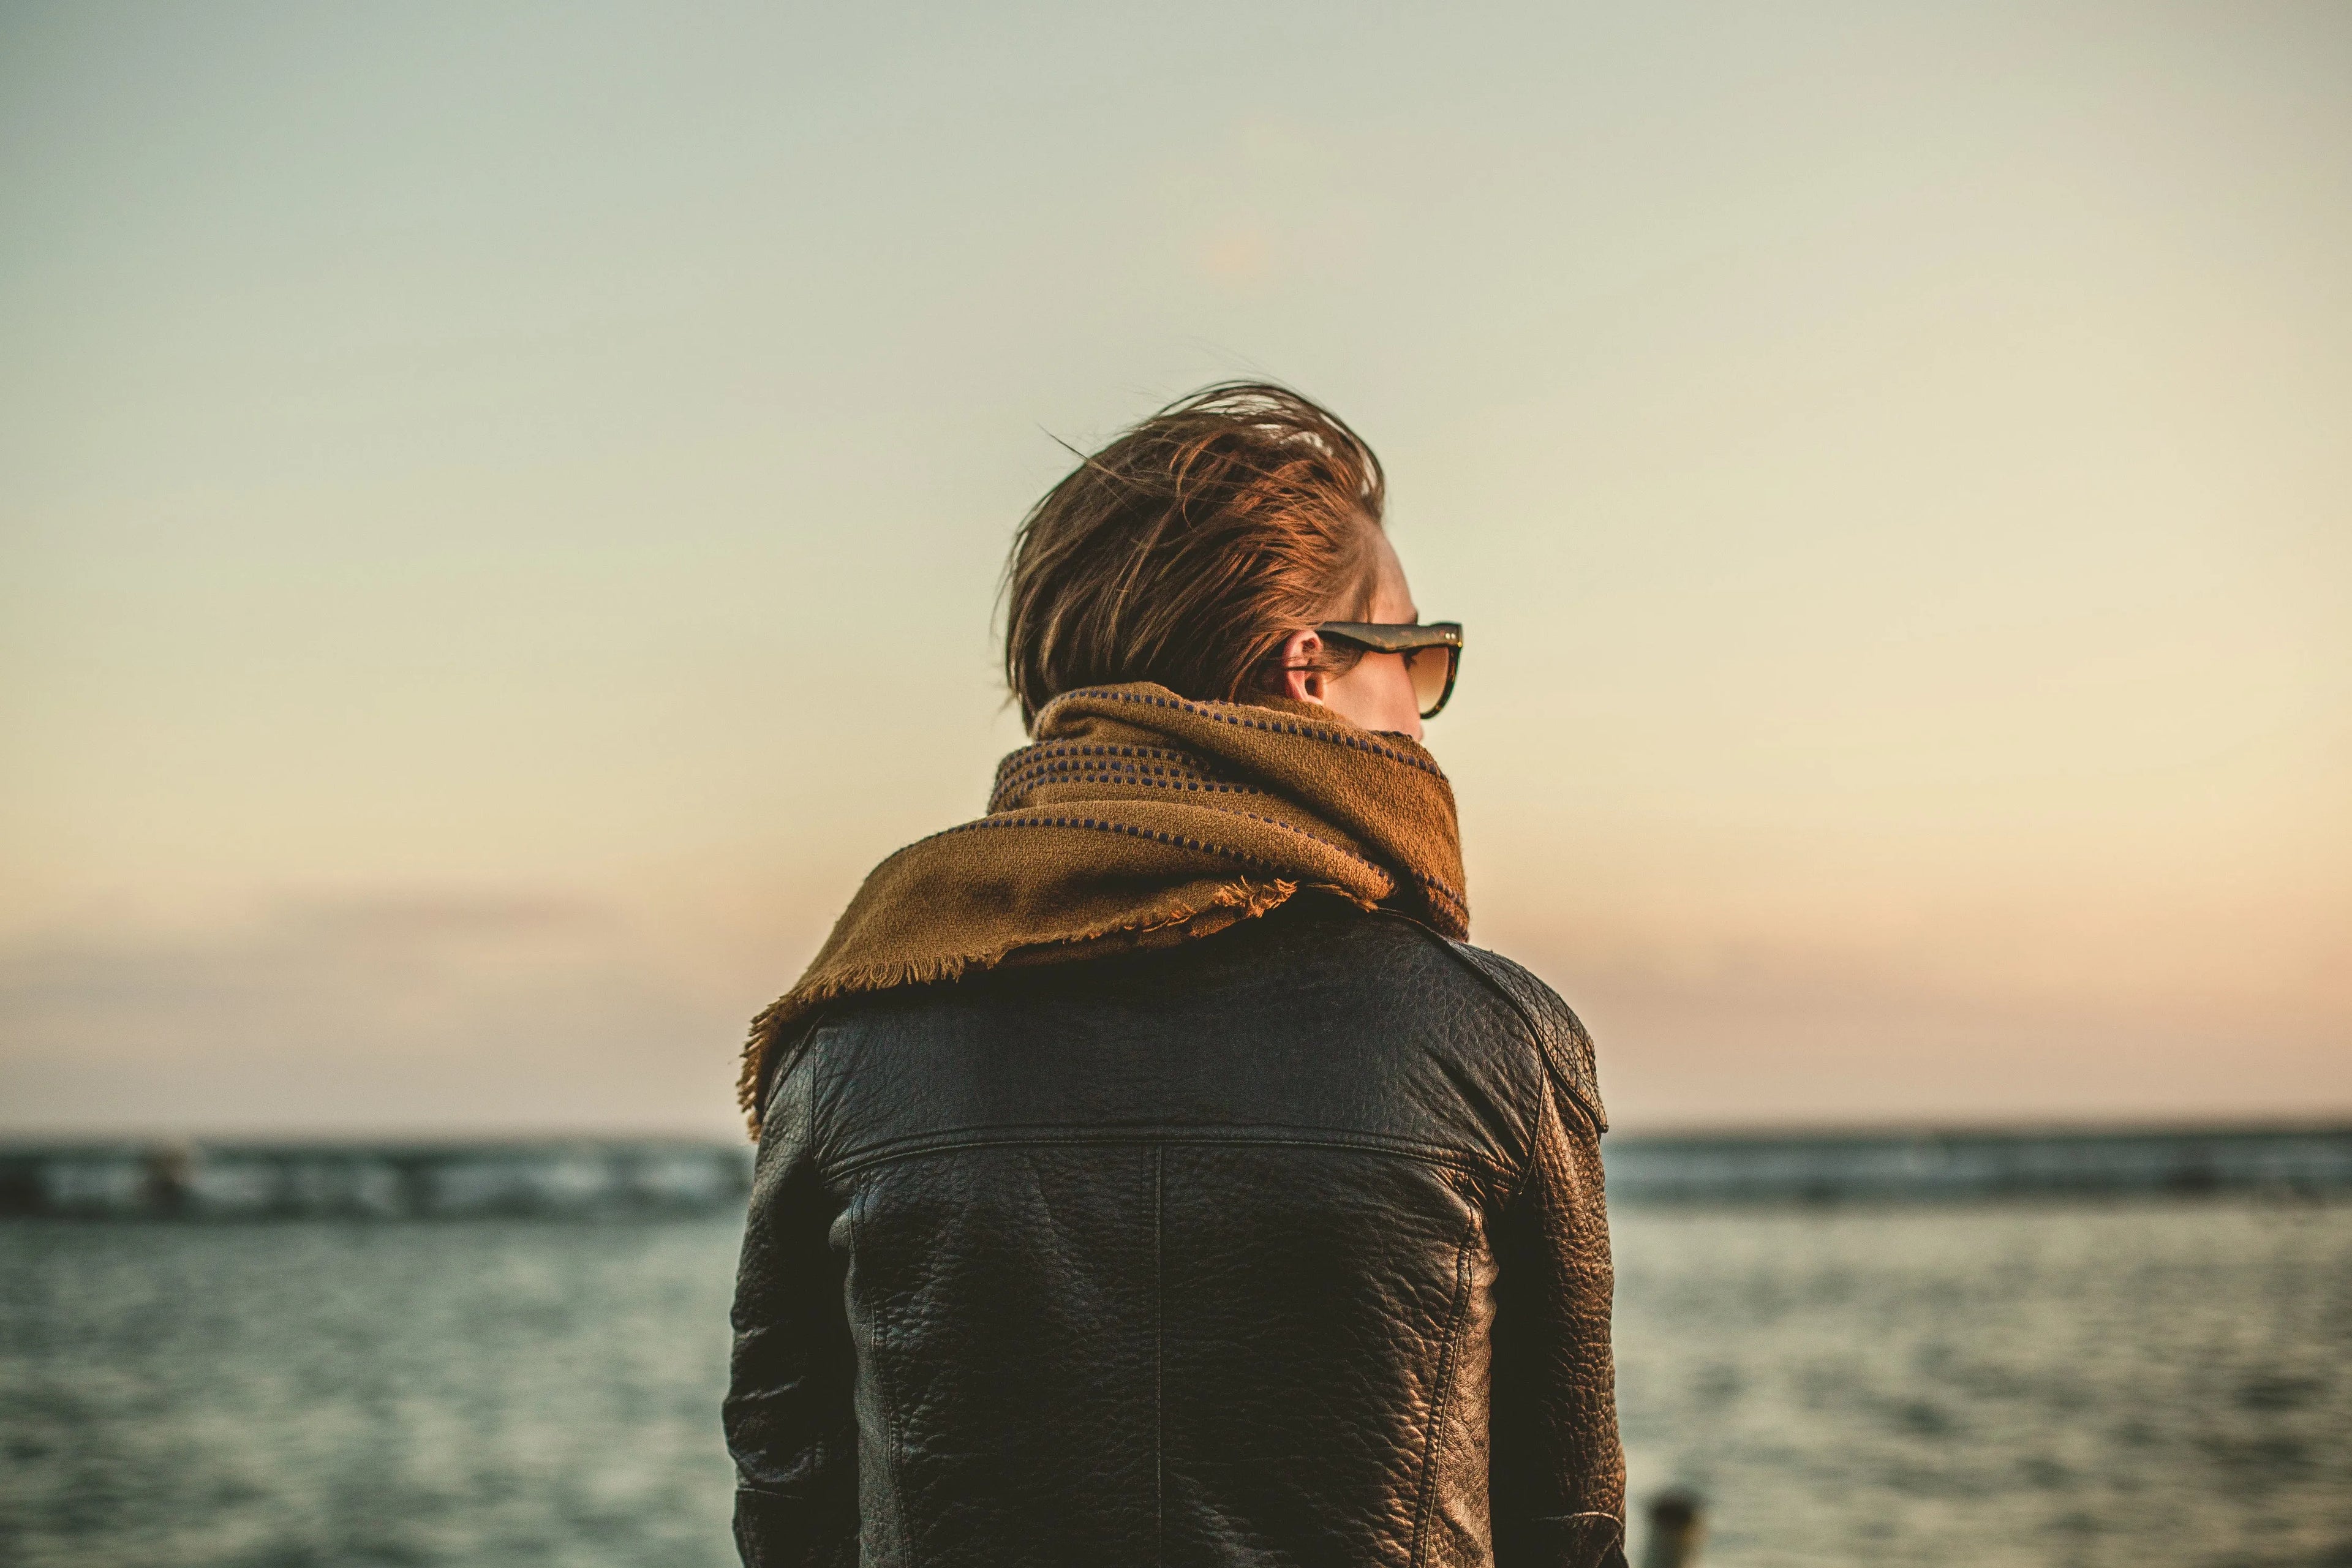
x=1142, y=819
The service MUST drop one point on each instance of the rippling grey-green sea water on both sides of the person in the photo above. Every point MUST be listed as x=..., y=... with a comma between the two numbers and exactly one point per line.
x=2137, y=1383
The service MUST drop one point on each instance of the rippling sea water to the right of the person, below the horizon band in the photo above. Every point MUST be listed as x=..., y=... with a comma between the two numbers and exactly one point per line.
x=2073, y=1386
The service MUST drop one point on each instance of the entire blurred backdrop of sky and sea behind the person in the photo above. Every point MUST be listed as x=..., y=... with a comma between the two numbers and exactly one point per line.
x=500, y=516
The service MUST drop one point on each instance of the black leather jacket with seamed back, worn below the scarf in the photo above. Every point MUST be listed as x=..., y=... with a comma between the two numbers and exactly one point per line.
x=1278, y=1247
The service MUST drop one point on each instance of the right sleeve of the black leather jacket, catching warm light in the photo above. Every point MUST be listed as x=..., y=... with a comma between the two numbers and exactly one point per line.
x=1558, y=1473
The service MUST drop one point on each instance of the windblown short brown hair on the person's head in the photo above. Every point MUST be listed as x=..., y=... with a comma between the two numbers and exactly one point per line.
x=1191, y=547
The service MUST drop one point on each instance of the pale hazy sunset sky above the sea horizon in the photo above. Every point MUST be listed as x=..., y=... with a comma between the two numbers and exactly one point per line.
x=500, y=518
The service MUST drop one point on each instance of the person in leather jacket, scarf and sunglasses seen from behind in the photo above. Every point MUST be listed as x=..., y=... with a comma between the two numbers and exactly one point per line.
x=1149, y=1170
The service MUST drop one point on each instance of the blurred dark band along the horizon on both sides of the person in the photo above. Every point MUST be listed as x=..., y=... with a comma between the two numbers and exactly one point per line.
x=681, y=1179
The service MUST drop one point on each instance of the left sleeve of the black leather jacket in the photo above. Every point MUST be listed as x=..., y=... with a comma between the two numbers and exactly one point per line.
x=791, y=1421
